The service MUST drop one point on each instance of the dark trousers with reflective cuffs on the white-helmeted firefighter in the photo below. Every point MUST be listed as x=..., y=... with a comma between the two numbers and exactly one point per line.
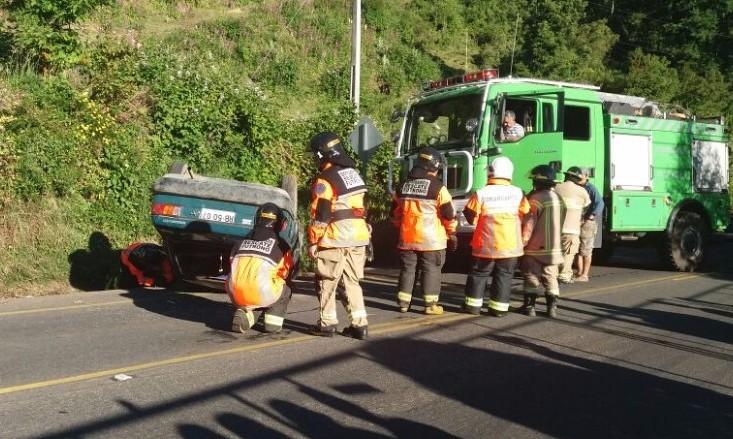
x=501, y=272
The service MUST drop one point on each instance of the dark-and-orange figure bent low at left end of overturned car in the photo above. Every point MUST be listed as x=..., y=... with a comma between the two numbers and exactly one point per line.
x=148, y=264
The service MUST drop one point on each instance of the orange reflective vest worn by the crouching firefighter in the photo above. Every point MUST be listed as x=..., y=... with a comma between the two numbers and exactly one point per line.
x=259, y=268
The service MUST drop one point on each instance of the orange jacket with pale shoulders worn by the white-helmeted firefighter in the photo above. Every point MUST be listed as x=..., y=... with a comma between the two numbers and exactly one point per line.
x=496, y=210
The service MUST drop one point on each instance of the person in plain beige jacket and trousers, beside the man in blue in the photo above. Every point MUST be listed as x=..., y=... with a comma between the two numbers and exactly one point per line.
x=576, y=200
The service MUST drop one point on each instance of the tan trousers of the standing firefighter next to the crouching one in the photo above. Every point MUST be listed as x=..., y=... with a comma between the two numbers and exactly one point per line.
x=341, y=264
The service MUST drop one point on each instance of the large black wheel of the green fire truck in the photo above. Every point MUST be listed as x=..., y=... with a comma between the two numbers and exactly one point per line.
x=683, y=249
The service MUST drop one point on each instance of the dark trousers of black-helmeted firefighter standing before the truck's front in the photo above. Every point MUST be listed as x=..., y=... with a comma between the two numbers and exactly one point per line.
x=429, y=264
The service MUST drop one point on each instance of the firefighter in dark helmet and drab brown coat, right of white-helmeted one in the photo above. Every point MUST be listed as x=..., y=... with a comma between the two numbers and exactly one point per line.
x=541, y=235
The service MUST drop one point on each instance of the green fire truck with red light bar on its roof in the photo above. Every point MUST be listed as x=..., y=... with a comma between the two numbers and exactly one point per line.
x=663, y=173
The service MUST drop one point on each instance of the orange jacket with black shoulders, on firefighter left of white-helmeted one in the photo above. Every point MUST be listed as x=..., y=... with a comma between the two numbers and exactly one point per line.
x=423, y=212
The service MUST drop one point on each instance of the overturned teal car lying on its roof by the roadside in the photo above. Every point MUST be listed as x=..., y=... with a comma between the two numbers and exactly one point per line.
x=201, y=219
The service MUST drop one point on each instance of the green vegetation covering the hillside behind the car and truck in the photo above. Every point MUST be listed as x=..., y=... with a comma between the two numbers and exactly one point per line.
x=98, y=97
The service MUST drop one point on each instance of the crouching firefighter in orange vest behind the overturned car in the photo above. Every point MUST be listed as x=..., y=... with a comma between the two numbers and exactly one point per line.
x=259, y=269
